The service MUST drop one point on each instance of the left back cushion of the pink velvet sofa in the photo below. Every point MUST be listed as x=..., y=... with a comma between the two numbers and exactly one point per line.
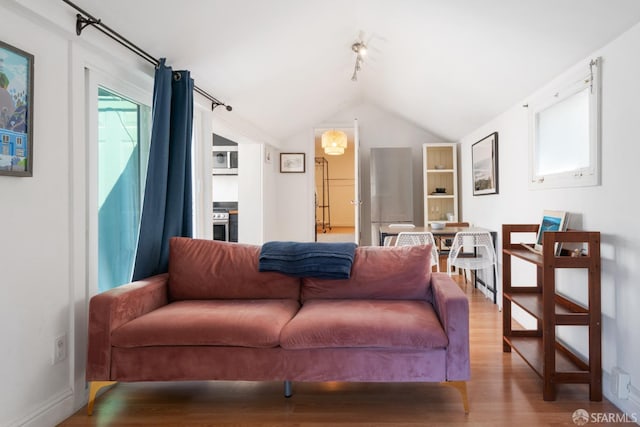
x=210, y=269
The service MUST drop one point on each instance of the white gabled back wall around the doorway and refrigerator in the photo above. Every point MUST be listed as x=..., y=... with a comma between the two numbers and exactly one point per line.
x=378, y=128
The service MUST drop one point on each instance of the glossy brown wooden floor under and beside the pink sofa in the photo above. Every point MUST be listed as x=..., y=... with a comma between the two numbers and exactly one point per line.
x=503, y=391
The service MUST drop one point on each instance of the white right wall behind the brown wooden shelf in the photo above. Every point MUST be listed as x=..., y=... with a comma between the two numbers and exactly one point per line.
x=611, y=208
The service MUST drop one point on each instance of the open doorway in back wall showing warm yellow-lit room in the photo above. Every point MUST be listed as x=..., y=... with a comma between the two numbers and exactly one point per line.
x=335, y=188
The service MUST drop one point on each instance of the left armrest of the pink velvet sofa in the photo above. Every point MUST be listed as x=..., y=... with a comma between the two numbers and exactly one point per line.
x=110, y=310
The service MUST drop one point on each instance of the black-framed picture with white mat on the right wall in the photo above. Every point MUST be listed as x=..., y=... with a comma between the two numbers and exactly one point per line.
x=484, y=160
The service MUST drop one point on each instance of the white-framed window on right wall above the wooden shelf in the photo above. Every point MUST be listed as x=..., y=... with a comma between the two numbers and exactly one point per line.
x=564, y=140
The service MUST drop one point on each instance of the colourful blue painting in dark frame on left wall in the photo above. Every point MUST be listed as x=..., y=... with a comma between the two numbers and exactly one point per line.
x=16, y=111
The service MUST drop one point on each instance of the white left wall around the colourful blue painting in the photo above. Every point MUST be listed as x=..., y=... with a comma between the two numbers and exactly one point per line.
x=35, y=251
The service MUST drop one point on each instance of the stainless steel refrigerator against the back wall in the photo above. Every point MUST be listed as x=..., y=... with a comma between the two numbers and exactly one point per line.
x=391, y=188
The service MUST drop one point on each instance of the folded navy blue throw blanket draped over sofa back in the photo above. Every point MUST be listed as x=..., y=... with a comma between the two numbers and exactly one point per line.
x=308, y=259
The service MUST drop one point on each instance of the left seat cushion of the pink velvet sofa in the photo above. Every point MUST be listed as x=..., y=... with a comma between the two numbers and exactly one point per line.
x=243, y=323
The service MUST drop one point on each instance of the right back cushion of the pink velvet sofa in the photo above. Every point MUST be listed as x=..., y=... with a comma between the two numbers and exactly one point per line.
x=379, y=272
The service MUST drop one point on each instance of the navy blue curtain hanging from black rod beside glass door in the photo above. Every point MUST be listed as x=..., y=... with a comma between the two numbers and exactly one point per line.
x=167, y=209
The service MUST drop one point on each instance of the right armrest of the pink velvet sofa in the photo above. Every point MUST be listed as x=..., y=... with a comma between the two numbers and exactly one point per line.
x=452, y=307
